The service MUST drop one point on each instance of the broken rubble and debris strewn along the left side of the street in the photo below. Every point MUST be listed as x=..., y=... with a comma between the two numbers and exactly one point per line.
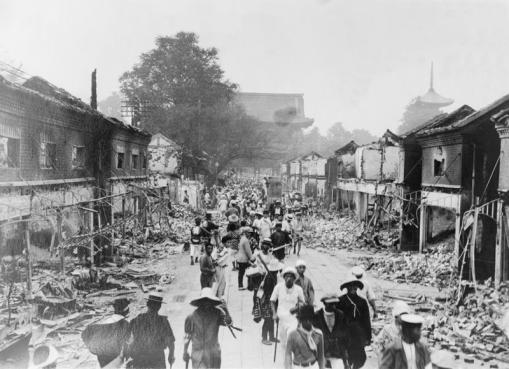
x=63, y=305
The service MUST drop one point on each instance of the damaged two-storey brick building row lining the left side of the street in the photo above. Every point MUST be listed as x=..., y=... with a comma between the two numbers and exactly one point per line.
x=66, y=168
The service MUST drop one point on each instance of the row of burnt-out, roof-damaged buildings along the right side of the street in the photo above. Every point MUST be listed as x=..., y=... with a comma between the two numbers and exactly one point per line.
x=447, y=176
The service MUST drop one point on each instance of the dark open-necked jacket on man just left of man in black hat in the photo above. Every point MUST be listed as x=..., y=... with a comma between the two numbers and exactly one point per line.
x=335, y=341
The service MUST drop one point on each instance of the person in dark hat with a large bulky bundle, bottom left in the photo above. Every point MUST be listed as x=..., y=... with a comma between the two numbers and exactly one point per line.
x=108, y=338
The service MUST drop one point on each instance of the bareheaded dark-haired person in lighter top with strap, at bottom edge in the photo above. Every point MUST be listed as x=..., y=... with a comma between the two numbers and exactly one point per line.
x=305, y=346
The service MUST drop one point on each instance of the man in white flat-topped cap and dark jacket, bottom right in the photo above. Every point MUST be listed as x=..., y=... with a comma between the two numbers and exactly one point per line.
x=407, y=352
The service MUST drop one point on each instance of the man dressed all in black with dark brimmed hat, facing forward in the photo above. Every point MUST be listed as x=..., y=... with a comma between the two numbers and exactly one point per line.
x=358, y=322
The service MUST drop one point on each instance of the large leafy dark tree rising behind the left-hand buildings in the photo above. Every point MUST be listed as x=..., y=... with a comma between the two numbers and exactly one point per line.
x=179, y=89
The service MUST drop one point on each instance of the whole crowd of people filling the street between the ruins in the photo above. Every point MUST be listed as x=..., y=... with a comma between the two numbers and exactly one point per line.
x=253, y=238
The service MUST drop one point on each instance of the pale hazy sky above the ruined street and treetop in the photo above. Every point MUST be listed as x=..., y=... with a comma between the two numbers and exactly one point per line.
x=356, y=61
